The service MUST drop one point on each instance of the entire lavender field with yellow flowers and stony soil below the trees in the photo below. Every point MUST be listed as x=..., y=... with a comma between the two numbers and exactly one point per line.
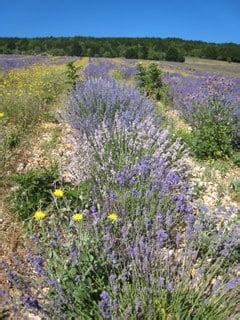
x=123, y=192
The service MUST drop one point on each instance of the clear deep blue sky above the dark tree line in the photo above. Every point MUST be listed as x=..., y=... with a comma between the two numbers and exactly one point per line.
x=209, y=20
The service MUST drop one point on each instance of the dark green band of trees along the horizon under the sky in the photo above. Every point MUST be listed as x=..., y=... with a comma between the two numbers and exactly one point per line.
x=171, y=49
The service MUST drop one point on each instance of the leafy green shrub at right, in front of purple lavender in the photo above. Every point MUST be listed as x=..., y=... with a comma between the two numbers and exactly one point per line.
x=213, y=131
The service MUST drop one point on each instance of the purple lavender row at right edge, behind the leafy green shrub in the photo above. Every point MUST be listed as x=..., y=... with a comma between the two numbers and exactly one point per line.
x=191, y=92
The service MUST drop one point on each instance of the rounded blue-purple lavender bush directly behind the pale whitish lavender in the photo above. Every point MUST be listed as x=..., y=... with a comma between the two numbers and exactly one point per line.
x=100, y=99
